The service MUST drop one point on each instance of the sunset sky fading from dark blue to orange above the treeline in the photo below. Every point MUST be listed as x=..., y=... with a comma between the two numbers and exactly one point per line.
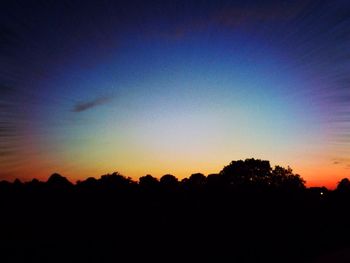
x=156, y=87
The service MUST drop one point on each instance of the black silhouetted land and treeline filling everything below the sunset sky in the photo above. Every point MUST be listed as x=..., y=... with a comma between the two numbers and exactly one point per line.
x=244, y=214
